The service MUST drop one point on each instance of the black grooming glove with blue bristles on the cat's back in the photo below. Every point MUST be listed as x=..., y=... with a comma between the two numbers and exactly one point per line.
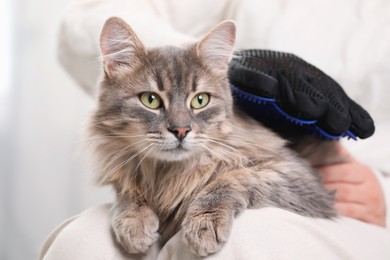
x=300, y=90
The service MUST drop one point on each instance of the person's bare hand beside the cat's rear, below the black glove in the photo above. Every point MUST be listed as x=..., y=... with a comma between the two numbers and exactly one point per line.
x=358, y=191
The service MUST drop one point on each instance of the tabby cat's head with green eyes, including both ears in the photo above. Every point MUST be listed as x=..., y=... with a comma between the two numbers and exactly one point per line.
x=168, y=103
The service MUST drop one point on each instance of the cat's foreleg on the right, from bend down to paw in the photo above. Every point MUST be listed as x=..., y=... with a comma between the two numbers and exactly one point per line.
x=209, y=218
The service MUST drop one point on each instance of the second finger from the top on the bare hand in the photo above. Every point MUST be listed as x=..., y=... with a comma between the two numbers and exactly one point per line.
x=345, y=192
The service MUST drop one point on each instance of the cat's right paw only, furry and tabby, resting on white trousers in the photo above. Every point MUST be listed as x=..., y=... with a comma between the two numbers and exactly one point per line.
x=206, y=233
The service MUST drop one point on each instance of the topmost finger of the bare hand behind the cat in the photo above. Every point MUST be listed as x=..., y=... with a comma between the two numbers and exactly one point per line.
x=345, y=172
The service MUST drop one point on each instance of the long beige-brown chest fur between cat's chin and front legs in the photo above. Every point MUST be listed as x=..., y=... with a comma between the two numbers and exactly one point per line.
x=169, y=187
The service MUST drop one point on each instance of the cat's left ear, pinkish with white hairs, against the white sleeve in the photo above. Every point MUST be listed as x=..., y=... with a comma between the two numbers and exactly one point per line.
x=119, y=46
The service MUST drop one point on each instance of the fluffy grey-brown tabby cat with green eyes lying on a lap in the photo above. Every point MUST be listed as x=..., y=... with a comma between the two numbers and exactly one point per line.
x=179, y=155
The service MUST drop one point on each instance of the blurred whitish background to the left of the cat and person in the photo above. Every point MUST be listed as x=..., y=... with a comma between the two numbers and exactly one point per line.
x=43, y=177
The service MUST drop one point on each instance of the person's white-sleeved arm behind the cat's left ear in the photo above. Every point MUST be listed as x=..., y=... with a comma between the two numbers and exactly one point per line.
x=80, y=28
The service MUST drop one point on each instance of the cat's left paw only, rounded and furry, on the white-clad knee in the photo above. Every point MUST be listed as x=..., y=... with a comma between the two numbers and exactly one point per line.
x=136, y=231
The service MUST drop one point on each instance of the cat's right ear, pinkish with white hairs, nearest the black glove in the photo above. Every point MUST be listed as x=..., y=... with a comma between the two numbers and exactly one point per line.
x=216, y=48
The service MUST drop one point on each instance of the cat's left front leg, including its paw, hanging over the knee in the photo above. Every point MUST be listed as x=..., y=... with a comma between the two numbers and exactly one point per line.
x=134, y=224
